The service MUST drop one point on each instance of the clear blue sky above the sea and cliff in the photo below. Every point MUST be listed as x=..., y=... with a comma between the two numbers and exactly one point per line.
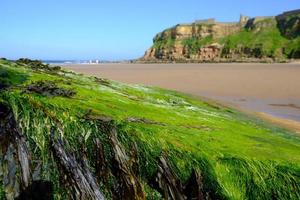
x=111, y=29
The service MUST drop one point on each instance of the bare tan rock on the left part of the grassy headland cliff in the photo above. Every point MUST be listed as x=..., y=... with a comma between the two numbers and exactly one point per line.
x=199, y=30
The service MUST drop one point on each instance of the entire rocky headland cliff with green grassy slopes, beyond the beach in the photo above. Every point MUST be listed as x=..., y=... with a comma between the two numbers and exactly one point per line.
x=273, y=38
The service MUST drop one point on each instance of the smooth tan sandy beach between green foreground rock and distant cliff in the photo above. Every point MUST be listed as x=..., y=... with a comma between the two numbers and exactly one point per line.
x=273, y=89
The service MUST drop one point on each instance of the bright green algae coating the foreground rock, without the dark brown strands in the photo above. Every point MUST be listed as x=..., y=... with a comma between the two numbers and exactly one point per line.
x=241, y=157
